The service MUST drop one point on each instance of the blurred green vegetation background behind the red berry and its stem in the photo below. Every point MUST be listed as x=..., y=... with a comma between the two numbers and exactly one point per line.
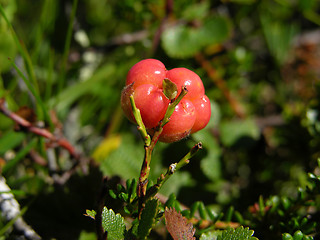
x=258, y=59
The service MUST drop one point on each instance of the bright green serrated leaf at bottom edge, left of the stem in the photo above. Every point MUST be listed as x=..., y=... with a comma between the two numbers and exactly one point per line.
x=113, y=224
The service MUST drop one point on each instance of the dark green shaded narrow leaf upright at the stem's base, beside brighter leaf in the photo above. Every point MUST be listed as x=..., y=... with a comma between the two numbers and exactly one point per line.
x=147, y=218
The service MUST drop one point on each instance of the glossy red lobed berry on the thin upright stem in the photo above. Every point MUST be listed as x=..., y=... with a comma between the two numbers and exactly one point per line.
x=144, y=82
